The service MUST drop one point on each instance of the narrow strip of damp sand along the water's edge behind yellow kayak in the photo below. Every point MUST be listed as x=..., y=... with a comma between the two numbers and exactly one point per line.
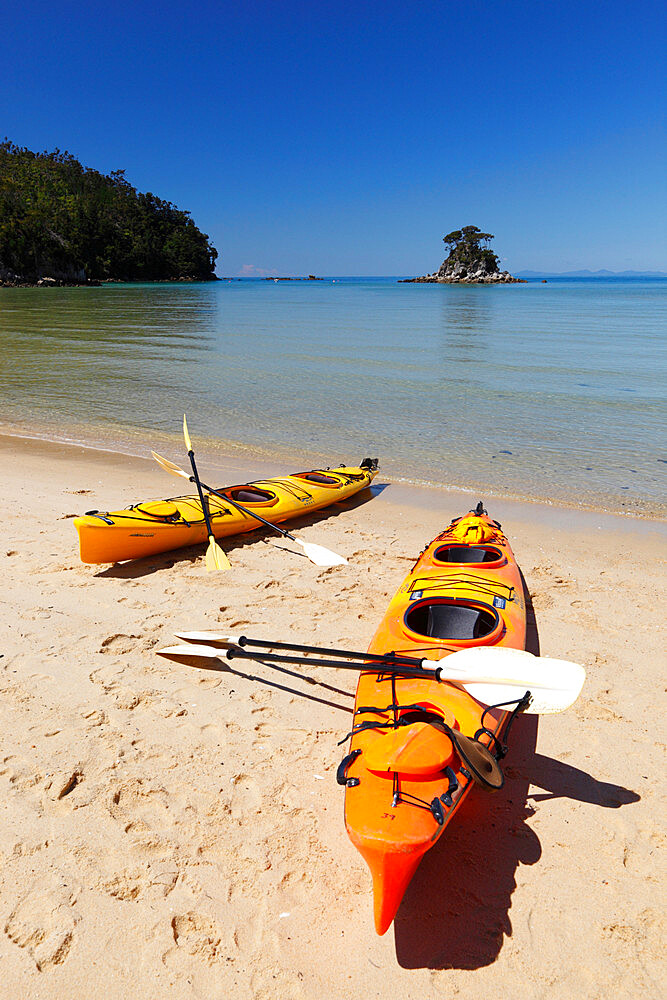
x=271, y=461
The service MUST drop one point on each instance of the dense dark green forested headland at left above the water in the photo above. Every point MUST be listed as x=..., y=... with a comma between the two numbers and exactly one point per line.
x=63, y=220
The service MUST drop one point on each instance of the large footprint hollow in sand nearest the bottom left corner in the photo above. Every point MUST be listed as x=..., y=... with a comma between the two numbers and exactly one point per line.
x=43, y=922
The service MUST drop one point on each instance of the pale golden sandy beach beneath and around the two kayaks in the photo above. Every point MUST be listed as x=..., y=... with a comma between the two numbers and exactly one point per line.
x=170, y=831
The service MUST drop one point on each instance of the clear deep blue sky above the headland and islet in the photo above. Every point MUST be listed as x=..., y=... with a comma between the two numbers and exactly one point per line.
x=348, y=138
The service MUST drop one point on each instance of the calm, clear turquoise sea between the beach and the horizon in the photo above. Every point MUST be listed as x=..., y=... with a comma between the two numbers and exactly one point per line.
x=550, y=391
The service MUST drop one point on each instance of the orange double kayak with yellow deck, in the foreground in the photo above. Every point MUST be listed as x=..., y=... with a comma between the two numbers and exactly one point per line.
x=405, y=777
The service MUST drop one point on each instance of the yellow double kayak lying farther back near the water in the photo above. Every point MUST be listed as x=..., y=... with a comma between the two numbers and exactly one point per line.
x=153, y=526
